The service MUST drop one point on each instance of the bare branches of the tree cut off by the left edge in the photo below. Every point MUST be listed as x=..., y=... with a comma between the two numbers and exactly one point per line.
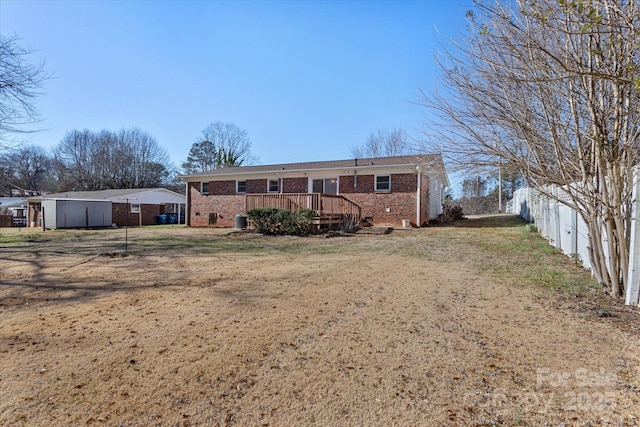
x=20, y=83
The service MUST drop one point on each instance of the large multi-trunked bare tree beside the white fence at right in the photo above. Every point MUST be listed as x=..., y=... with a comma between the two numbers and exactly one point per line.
x=550, y=88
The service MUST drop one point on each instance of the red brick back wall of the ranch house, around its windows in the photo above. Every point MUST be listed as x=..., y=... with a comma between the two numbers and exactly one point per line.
x=401, y=201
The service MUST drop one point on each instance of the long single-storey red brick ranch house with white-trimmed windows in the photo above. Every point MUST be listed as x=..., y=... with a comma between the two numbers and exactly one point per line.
x=387, y=190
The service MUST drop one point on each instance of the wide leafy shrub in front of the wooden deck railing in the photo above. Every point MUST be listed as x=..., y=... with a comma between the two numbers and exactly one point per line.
x=272, y=221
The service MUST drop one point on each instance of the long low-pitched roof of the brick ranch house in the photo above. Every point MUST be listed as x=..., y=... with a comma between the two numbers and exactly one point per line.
x=432, y=163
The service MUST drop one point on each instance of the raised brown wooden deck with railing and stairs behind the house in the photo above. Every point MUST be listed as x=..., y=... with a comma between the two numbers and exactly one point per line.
x=330, y=211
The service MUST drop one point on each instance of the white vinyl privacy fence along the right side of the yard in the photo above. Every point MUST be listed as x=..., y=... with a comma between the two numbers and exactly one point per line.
x=564, y=228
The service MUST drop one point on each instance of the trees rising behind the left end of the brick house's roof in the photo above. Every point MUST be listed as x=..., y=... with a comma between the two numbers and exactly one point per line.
x=219, y=145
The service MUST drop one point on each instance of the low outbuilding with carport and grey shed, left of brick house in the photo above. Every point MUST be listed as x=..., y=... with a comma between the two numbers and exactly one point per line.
x=122, y=207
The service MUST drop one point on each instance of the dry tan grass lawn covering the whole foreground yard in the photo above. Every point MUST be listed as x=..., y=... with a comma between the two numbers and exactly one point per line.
x=480, y=324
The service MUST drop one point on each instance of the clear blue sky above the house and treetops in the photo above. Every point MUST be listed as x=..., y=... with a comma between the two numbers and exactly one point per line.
x=307, y=80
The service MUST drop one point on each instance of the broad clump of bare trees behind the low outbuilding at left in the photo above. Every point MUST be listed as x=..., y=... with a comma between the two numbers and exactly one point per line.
x=129, y=158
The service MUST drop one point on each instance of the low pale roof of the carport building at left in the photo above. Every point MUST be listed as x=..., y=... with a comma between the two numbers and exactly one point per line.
x=141, y=195
